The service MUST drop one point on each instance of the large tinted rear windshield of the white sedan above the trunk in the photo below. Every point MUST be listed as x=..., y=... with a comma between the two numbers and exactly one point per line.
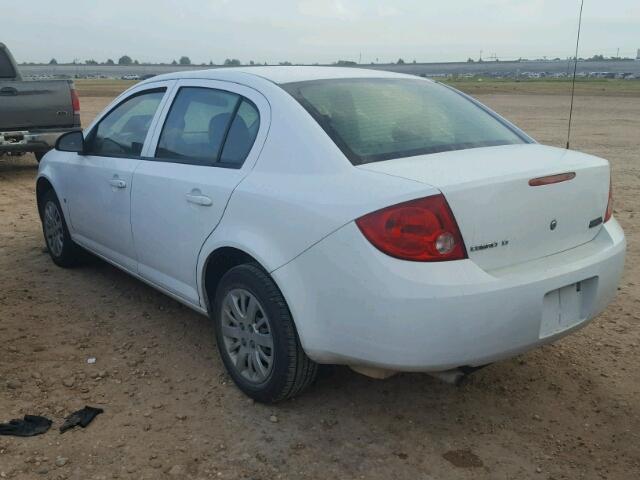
x=374, y=119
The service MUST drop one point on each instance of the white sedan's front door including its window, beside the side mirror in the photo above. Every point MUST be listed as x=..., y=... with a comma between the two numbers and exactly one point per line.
x=99, y=180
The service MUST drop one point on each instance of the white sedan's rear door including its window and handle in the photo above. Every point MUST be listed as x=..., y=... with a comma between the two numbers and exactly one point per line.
x=203, y=146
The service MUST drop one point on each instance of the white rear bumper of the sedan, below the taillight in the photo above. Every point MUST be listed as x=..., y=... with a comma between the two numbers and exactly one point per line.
x=354, y=305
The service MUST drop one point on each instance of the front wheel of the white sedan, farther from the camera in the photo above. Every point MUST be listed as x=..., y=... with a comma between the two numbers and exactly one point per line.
x=63, y=251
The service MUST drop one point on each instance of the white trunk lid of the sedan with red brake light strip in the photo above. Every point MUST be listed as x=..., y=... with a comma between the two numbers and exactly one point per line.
x=503, y=219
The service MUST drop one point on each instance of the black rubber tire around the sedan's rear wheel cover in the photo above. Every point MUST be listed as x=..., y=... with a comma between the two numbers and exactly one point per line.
x=292, y=371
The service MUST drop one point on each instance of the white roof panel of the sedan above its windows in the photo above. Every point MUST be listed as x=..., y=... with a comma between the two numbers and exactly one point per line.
x=281, y=74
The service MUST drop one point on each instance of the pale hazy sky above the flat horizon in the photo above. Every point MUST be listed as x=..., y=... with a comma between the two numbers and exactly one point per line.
x=309, y=31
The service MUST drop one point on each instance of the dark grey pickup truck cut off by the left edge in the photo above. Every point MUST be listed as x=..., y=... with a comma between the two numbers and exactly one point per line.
x=33, y=114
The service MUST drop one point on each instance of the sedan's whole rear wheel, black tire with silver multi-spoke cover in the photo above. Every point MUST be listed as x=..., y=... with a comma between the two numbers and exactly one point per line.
x=257, y=338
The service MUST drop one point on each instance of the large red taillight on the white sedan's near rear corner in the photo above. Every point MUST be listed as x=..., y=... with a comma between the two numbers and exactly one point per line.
x=422, y=230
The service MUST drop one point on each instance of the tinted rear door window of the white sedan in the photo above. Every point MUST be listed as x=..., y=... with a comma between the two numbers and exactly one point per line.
x=208, y=127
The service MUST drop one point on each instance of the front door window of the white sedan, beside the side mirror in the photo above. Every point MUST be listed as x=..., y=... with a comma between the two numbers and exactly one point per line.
x=121, y=133
